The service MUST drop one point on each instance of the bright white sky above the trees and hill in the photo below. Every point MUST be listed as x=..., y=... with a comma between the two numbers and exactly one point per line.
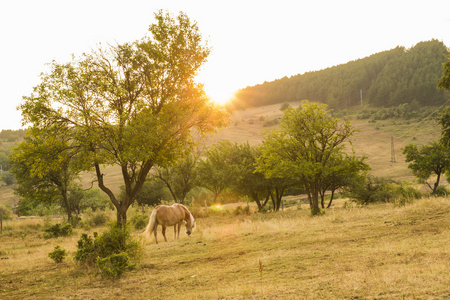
x=252, y=41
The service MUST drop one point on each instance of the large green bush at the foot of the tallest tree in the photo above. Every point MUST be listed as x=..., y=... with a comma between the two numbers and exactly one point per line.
x=111, y=252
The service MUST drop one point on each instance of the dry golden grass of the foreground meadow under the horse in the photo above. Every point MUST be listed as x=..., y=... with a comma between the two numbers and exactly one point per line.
x=377, y=252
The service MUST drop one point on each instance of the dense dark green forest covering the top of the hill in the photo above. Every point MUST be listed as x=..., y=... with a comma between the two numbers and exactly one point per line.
x=385, y=79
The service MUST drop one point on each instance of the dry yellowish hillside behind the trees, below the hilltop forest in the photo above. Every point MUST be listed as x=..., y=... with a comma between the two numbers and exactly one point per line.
x=372, y=139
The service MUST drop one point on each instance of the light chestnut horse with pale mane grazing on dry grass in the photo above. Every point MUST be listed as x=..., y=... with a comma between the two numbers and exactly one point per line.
x=170, y=216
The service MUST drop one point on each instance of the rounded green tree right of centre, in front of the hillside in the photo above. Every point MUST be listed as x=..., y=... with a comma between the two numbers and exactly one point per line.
x=304, y=148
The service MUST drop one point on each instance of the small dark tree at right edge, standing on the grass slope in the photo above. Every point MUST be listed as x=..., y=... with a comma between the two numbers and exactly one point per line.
x=426, y=161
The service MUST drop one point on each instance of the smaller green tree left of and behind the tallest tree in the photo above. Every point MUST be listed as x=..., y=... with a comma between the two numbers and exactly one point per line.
x=45, y=165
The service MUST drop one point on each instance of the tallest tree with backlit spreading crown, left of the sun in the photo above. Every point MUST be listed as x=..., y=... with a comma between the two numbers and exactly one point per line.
x=132, y=105
